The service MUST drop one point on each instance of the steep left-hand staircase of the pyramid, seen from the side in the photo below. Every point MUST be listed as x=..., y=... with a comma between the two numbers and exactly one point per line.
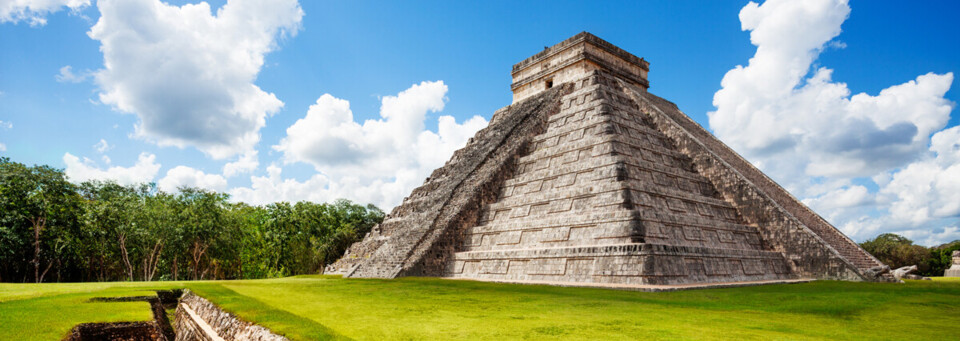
x=451, y=198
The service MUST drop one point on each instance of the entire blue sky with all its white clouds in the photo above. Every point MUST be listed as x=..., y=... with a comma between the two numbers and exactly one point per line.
x=447, y=58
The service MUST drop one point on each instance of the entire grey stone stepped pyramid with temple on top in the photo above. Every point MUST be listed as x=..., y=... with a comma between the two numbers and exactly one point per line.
x=588, y=179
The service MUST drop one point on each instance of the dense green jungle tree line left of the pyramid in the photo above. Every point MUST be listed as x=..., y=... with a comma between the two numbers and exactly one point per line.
x=54, y=230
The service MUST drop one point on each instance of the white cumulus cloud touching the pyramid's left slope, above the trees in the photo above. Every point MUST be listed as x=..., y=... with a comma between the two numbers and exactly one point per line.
x=377, y=161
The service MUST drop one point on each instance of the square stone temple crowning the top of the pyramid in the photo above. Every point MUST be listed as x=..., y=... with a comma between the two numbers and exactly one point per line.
x=571, y=59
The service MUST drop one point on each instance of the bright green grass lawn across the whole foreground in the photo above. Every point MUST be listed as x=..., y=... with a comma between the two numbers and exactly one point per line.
x=318, y=307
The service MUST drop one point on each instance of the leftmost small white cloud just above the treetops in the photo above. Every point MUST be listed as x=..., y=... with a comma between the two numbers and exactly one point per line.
x=143, y=171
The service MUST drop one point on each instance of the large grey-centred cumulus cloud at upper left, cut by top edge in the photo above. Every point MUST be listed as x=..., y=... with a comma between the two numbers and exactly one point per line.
x=189, y=73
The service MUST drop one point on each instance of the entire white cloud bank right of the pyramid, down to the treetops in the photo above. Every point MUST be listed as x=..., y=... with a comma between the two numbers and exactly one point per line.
x=866, y=162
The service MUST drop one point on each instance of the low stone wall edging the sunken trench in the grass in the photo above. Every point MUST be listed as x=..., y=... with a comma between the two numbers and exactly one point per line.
x=200, y=320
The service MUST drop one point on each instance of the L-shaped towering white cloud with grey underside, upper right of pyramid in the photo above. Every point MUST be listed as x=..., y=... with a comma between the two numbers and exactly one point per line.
x=811, y=126
